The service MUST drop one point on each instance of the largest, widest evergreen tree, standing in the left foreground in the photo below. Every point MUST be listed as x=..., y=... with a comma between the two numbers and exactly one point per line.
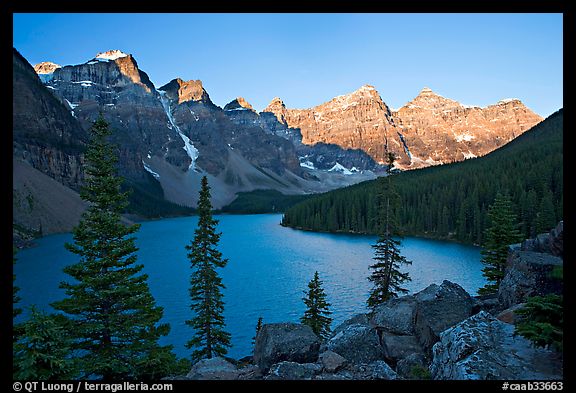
x=114, y=319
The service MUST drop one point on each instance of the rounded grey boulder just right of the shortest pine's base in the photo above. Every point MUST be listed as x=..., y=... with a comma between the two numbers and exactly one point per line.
x=357, y=343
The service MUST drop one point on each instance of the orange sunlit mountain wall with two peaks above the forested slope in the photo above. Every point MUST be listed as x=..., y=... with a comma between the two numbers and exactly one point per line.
x=429, y=130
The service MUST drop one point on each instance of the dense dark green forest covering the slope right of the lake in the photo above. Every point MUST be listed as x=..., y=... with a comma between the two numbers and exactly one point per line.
x=451, y=201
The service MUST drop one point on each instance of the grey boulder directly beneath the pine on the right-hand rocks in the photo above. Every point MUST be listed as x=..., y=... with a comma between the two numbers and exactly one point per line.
x=396, y=315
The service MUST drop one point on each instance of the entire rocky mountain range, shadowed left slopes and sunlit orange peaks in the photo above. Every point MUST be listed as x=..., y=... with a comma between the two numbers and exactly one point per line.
x=171, y=136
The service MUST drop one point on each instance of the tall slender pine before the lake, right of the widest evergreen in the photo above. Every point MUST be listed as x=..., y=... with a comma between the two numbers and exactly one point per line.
x=205, y=284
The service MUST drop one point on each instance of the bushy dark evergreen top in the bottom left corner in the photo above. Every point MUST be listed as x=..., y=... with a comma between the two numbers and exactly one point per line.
x=43, y=351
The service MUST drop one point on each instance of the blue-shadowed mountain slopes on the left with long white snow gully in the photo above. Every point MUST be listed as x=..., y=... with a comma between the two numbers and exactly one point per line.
x=167, y=139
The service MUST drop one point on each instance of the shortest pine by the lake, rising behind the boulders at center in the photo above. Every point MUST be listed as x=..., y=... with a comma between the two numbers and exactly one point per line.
x=316, y=314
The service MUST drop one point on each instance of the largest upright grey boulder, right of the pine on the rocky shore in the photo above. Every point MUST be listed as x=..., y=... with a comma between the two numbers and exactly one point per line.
x=438, y=308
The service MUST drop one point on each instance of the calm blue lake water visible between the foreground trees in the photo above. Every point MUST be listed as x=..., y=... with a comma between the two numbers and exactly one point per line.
x=267, y=273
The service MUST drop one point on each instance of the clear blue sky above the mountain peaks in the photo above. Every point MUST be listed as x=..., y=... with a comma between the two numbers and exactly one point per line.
x=307, y=59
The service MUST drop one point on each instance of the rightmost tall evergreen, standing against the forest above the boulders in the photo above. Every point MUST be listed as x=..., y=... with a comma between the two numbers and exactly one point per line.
x=498, y=236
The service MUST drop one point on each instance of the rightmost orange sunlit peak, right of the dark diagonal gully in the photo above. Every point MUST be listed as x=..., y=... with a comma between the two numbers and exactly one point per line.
x=439, y=130
